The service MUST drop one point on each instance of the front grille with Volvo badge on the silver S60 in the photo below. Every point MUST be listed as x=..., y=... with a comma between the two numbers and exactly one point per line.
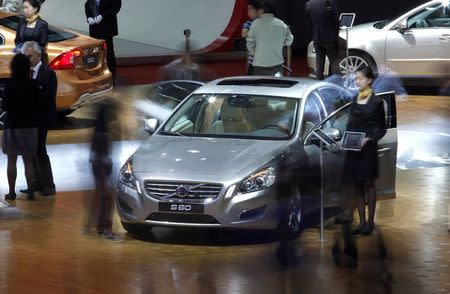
x=182, y=191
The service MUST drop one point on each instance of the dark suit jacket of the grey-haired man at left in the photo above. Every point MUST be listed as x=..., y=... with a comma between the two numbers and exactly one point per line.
x=48, y=85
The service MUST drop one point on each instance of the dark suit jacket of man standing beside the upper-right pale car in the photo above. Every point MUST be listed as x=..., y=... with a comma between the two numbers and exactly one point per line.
x=323, y=16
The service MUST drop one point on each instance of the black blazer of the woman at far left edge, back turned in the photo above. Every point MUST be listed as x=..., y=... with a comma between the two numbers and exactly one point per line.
x=21, y=103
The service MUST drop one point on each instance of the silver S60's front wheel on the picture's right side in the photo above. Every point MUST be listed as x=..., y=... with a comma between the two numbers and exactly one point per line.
x=291, y=214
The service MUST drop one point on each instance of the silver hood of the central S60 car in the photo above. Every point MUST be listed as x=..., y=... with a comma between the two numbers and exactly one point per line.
x=222, y=157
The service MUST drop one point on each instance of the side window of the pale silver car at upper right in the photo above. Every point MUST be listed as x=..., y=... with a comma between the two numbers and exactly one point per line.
x=433, y=16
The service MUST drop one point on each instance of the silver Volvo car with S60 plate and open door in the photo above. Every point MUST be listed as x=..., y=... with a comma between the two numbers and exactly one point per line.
x=239, y=153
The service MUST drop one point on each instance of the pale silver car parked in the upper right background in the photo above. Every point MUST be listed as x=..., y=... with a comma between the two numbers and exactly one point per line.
x=414, y=45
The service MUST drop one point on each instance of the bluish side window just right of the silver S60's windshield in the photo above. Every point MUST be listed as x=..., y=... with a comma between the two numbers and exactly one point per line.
x=313, y=113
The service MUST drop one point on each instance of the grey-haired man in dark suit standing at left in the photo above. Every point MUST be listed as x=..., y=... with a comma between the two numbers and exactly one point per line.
x=48, y=84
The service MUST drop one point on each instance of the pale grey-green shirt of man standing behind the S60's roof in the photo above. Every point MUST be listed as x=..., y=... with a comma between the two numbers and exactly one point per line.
x=266, y=38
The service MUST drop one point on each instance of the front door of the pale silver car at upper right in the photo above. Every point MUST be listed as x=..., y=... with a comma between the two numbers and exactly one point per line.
x=424, y=48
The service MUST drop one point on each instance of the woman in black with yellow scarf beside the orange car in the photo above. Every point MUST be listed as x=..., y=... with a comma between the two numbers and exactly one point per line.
x=33, y=27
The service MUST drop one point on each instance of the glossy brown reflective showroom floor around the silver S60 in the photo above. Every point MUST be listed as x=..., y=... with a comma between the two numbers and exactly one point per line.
x=43, y=251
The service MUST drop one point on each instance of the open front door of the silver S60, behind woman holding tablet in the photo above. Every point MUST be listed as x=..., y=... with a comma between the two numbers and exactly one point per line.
x=387, y=150
